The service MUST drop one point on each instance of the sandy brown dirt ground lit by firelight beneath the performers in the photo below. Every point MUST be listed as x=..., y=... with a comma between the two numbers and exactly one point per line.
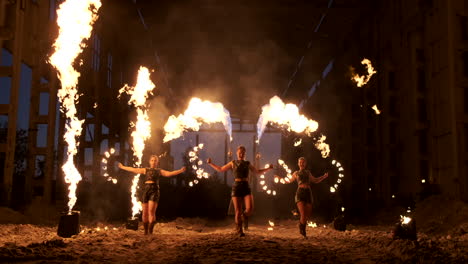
x=441, y=239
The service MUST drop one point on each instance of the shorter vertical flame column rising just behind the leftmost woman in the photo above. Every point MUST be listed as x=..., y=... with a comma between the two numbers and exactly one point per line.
x=142, y=132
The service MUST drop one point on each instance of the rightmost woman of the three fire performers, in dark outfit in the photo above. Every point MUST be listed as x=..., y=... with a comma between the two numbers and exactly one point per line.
x=303, y=196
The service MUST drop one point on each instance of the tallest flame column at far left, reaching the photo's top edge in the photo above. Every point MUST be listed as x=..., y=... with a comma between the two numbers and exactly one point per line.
x=75, y=19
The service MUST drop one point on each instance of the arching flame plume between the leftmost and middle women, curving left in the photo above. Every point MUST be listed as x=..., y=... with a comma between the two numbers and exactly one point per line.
x=197, y=112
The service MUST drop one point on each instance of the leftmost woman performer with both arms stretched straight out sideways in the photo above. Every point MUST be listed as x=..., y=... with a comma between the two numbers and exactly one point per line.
x=150, y=197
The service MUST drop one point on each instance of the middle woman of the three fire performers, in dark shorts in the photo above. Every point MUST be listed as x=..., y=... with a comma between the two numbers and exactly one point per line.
x=240, y=189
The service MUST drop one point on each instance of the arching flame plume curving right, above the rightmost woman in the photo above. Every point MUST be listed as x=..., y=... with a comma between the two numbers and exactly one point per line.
x=284, y=115
